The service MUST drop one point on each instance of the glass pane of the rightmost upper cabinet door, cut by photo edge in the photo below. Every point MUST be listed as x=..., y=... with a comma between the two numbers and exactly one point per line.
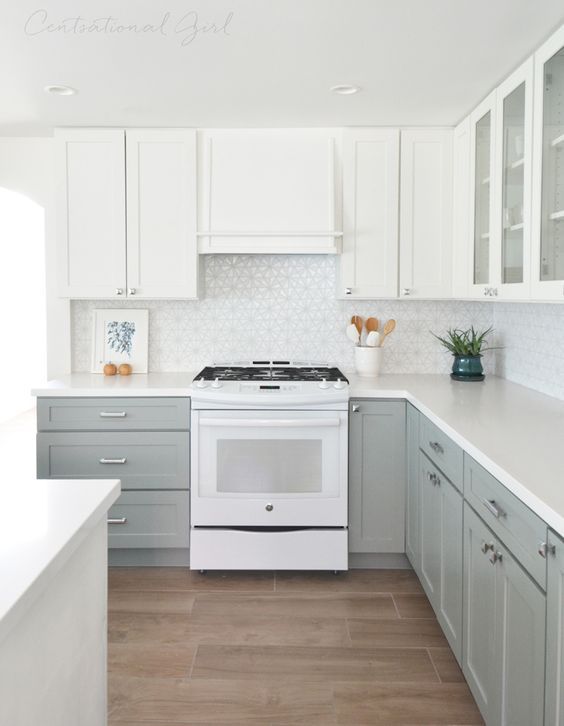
x=552, y=229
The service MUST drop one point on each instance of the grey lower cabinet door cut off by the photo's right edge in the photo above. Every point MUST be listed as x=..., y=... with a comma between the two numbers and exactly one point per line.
x=554, y=706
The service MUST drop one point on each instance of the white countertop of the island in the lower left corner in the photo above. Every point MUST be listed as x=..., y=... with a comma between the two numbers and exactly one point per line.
x=71, y=508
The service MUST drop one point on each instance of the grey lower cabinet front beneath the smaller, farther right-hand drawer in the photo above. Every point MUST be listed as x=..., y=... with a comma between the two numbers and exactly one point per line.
x=440, y=525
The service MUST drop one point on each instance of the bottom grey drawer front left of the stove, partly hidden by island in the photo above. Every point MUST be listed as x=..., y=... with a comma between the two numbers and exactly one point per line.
x=149, y=519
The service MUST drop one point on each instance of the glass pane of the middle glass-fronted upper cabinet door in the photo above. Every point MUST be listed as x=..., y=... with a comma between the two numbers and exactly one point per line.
x=513, y=186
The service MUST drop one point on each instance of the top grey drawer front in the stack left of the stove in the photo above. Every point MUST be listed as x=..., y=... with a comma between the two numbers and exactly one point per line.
x=113, y=414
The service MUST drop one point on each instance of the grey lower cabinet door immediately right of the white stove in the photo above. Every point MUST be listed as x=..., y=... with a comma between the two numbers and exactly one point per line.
x=377, y=476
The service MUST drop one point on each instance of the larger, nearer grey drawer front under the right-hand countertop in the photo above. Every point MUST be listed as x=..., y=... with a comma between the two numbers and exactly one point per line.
x=520, y=529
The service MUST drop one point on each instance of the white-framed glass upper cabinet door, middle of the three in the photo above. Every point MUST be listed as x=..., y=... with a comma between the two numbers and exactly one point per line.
x=513, y=152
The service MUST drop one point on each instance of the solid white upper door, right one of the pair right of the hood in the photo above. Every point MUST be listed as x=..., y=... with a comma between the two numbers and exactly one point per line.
x=426, y=213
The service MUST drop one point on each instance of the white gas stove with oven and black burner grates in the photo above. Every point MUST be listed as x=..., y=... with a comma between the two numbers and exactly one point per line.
x=269, y=484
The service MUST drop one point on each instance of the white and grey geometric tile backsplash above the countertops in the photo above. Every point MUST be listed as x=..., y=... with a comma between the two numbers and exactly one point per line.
x=284, y=306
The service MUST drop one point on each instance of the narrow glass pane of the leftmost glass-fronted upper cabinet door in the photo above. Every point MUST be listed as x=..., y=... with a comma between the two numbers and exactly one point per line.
x=482, y=201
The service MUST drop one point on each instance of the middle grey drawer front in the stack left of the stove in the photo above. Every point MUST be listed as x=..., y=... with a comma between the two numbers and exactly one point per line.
x=142, y=460
